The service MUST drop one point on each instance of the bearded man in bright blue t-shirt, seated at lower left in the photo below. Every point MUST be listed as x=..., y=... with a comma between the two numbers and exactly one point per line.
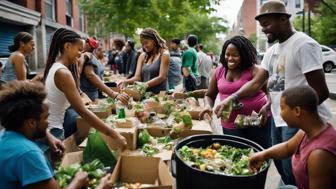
x=24, y=115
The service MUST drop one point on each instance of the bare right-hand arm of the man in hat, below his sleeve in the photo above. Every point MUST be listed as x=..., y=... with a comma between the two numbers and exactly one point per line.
x=316, y=80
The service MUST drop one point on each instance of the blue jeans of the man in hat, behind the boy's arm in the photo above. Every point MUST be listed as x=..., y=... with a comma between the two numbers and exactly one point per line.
x=284, y=167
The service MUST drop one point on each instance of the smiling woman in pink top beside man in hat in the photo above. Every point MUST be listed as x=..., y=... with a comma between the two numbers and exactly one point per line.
x=238, y=60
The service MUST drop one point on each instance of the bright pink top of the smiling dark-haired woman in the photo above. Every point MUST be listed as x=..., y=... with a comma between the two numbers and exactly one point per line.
x=227, y=88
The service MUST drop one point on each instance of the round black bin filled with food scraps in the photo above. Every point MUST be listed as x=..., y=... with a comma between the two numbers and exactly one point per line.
x=192, y=178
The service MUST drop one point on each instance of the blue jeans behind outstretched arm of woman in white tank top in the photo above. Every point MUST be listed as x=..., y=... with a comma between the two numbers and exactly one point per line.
x=70, y=122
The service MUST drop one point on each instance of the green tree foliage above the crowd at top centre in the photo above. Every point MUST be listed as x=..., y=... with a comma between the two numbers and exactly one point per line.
x=172, y=18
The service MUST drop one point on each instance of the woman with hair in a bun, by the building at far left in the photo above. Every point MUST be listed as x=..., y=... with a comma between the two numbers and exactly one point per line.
x=16, y=67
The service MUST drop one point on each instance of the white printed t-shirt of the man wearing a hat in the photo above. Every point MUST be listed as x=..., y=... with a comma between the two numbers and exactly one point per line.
x=286, y=63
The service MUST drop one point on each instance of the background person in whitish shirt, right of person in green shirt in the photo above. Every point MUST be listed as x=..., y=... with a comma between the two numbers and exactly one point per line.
x=204, y=67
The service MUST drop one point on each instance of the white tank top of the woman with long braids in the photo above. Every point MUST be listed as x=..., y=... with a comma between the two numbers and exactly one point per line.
x=56, y=99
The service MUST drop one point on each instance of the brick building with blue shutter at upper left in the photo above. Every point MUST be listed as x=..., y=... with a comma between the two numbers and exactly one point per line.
x=40, y=18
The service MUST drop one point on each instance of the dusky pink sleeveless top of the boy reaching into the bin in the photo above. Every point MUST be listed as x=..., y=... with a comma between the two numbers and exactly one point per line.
x=326, y=140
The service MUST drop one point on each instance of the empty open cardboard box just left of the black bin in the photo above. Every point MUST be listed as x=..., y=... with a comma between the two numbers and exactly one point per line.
x=145, y=170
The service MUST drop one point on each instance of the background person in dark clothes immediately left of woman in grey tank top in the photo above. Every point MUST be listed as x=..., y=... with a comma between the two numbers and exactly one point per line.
x=131, y=59
